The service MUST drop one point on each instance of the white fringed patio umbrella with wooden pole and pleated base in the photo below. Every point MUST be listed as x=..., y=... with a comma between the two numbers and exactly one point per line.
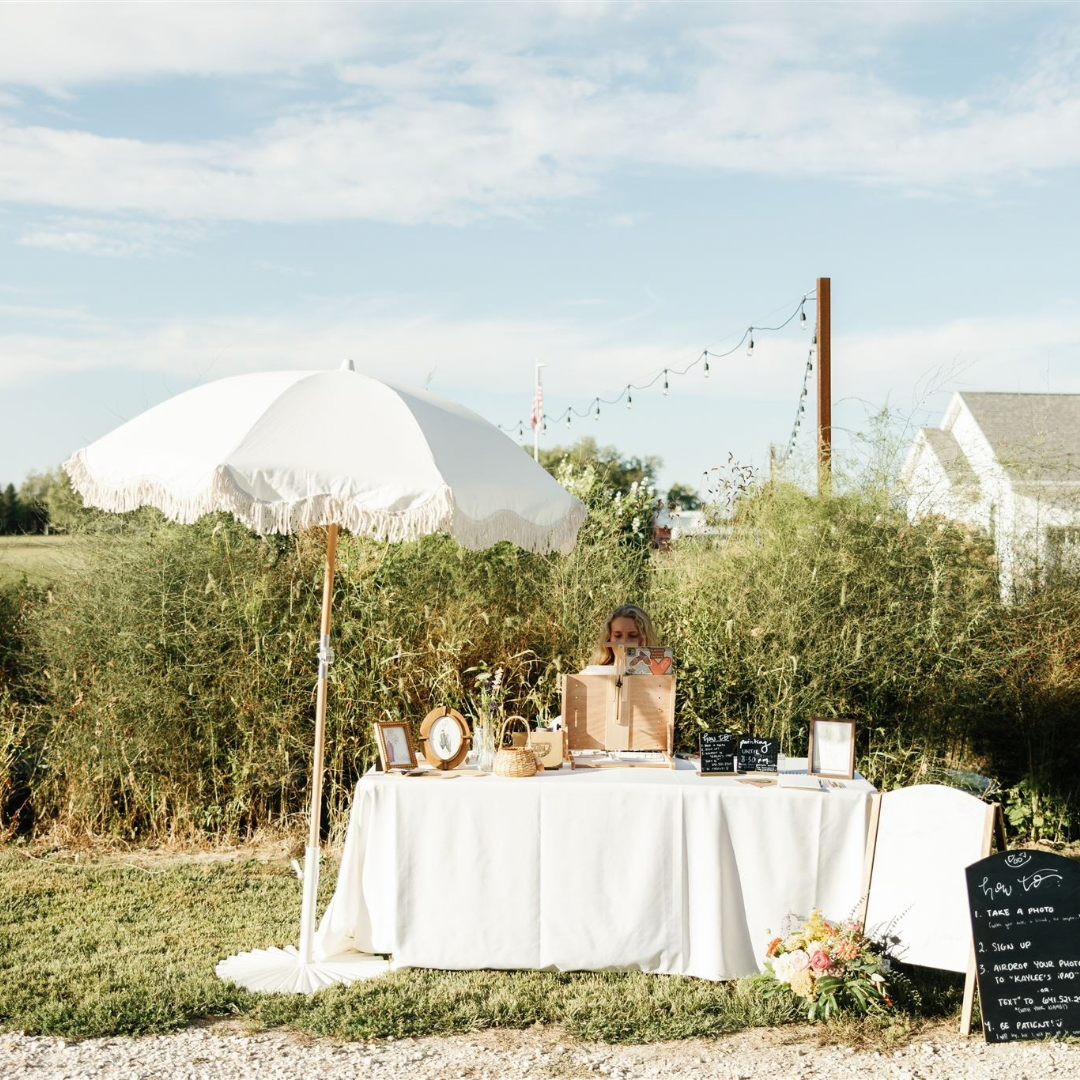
x=287, y=451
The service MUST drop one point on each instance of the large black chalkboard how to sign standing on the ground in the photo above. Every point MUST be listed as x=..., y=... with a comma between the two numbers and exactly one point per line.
x=1025, y=920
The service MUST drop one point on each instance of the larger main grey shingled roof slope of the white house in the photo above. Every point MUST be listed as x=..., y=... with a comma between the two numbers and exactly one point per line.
x=1034, y=437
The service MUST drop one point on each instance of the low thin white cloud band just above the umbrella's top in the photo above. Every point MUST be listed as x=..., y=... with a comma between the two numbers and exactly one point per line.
x=495, y=356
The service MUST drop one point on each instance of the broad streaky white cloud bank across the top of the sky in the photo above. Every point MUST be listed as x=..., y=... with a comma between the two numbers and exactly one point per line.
x=456, y=117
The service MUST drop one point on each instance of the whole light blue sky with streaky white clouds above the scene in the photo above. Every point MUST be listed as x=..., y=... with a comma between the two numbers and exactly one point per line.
x=448, y=194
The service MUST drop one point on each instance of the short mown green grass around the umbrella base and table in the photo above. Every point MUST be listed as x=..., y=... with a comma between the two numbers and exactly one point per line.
x=125, y=946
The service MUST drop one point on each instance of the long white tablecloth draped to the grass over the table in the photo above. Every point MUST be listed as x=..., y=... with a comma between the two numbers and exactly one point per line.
x=650, y=870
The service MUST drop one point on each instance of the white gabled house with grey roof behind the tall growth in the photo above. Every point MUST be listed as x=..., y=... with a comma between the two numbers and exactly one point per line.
x=1010, y=465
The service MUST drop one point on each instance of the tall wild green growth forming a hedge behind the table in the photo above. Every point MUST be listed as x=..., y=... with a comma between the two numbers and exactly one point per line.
x=168, y=685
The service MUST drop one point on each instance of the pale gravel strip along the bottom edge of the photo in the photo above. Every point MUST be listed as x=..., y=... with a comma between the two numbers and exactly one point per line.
x=226, y=1050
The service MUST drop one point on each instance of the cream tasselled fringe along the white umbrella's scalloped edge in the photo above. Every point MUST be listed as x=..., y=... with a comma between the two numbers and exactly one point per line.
x=440, y=514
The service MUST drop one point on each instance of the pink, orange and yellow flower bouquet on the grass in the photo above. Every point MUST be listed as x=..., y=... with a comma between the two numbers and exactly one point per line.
x=832, y=968
